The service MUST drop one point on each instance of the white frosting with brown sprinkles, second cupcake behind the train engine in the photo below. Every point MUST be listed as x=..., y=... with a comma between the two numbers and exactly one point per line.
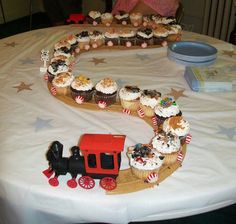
x=165, y=142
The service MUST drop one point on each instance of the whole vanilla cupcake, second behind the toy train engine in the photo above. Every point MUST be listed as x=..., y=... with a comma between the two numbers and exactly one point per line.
x=168, y=145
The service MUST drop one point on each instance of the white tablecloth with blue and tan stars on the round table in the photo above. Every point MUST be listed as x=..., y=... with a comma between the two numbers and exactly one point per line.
x=31, y=118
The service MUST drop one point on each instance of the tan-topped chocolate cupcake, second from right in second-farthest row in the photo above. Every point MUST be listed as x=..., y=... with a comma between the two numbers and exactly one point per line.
x=160, y=34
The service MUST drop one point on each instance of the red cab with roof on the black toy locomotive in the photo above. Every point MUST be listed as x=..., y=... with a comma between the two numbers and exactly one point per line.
x=95, y=144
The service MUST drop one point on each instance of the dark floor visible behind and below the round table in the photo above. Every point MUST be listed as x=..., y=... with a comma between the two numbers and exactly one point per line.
x=225, y=215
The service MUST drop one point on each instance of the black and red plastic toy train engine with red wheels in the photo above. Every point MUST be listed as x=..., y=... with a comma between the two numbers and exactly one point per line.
x=98, y=156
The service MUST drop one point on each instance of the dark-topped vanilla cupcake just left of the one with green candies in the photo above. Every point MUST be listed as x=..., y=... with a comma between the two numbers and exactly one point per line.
x=148, y=100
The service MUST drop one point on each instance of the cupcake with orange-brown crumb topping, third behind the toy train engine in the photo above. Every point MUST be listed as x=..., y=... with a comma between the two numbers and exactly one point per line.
x=178, y=126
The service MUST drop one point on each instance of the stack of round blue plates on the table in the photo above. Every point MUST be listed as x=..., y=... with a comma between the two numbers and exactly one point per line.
x=192, y=53
